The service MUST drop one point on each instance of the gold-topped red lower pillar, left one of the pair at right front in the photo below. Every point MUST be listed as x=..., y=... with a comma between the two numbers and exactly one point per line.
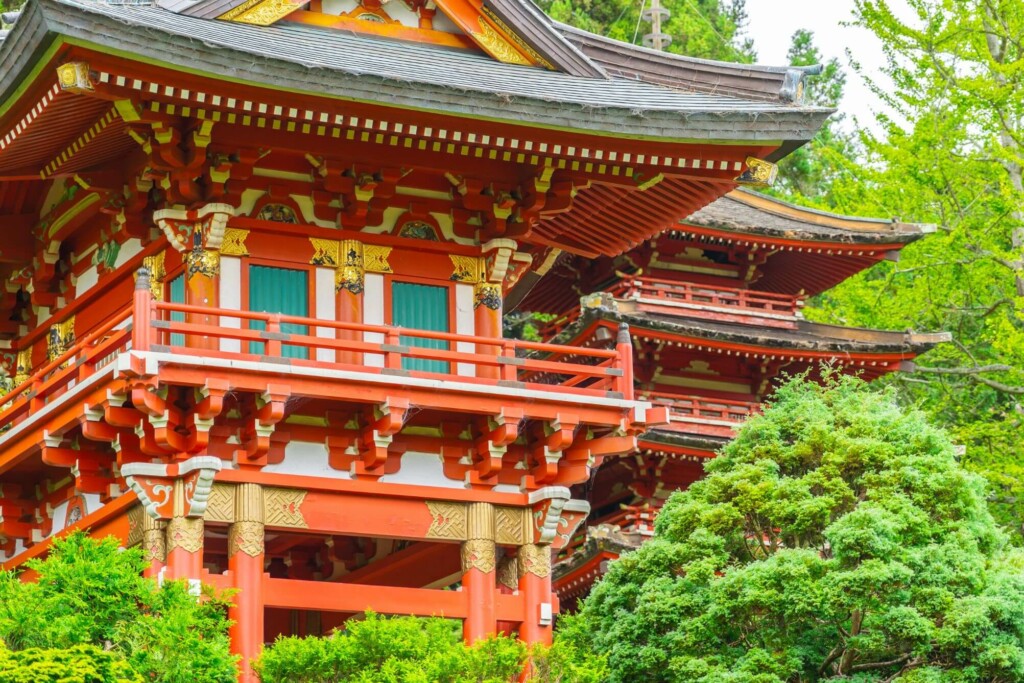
x=479, y=571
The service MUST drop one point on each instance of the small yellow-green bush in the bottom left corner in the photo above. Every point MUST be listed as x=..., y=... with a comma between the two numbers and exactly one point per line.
x=79, y=664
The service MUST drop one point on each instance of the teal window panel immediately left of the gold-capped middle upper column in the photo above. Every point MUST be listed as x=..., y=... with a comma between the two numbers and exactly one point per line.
x=279, y=291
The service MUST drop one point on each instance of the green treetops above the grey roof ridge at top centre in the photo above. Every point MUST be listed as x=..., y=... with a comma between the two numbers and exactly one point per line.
x=709, y=29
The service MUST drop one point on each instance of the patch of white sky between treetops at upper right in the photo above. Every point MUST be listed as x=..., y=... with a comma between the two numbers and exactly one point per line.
x=773, y=24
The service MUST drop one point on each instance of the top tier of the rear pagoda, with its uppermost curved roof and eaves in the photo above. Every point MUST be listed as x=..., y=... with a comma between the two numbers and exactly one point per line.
x=744, y=240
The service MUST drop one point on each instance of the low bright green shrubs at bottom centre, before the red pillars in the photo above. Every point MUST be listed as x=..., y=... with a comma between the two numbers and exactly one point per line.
x=408, y=650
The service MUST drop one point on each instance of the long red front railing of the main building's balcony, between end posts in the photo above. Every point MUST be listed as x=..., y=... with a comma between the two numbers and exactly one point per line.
x=393, y=350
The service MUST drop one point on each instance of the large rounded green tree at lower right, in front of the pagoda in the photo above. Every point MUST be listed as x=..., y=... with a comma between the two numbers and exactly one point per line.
x=836, y=538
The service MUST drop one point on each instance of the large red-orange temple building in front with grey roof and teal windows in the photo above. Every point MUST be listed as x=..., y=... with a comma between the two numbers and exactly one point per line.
x=254, y=263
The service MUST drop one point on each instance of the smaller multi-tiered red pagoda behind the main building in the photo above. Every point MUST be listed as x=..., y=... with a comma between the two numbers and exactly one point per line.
x=714, y=310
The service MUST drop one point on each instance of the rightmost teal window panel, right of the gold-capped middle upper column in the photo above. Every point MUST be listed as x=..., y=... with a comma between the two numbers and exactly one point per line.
x=421, y=308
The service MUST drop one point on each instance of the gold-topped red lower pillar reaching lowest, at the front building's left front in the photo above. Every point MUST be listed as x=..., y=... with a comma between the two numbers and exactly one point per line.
x=245, y=562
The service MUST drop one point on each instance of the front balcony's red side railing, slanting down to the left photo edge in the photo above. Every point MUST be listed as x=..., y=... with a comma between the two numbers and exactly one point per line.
x=74, y=366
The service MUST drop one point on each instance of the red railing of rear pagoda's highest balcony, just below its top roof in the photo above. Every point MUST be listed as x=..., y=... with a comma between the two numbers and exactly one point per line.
x=671, y=291
